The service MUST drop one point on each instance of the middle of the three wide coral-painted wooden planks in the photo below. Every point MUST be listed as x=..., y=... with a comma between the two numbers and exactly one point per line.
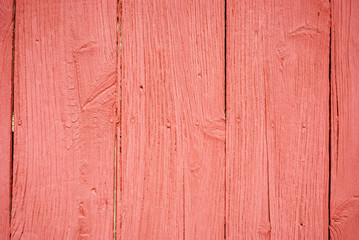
x=171, y=178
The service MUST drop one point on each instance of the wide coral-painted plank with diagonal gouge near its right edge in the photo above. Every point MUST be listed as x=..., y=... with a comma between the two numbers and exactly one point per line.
x=65, y=77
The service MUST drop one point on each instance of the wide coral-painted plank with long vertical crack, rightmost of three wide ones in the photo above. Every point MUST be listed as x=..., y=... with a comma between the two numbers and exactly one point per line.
x=277, y=119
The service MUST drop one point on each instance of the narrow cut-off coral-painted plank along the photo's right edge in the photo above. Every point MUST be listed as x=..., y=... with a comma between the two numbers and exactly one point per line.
x=344, y=201
